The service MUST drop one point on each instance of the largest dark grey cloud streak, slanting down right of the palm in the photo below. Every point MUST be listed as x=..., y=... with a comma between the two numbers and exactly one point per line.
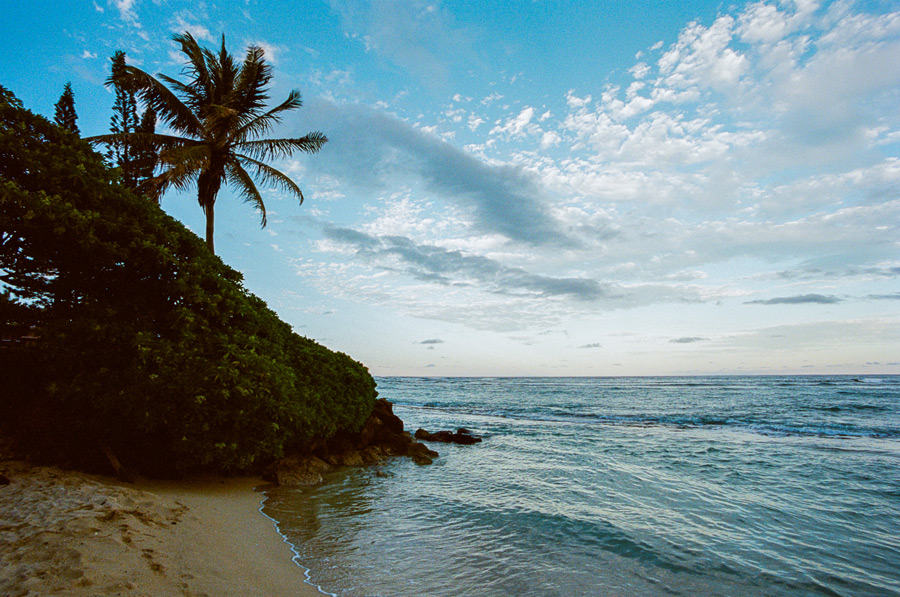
x=373, y=150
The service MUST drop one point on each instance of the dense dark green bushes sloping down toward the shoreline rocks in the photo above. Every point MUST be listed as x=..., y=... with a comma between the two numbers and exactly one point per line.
x=148, y=343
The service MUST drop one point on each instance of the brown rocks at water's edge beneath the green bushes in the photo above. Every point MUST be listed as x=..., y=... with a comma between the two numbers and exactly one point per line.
x=381, y=437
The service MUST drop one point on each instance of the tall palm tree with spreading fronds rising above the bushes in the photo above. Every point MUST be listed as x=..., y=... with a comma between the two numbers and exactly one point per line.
x=220, y=113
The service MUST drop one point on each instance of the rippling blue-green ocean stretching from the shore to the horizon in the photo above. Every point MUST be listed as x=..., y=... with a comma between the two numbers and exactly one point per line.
x=618, y=486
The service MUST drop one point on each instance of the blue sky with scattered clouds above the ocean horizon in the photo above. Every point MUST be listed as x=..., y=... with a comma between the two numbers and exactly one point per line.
x=546, y=188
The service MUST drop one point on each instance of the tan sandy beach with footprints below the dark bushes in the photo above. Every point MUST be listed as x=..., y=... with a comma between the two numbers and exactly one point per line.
x=68, y=533
